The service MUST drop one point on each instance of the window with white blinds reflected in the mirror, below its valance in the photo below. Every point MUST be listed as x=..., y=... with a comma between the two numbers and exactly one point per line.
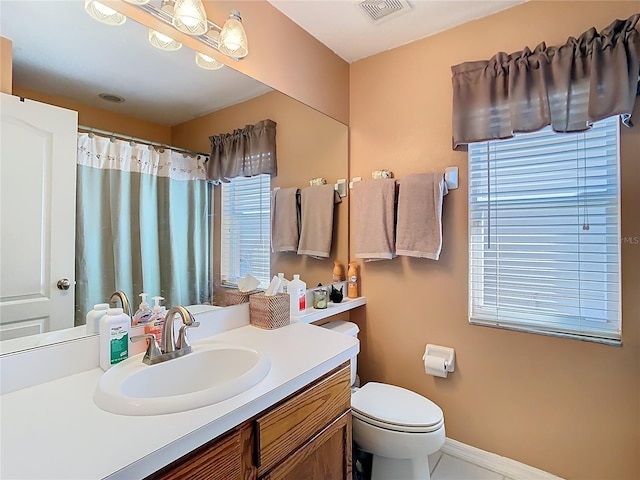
x=246, y=235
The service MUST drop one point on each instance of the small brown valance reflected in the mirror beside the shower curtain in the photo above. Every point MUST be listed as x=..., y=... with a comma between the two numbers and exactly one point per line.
x=245, y=152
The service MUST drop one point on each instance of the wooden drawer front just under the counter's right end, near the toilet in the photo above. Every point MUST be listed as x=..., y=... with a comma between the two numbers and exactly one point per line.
x=291, y=424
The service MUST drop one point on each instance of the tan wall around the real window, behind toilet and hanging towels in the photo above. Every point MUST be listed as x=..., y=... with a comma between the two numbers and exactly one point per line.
x=568, y=407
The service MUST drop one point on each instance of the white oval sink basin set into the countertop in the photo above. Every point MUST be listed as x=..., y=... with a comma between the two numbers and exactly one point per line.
x=210, y=374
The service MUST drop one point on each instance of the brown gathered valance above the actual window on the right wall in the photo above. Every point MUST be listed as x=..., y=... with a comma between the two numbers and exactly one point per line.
x=568, y=87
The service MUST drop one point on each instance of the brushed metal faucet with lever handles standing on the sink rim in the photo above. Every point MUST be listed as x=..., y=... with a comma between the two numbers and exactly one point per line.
x=169, y=348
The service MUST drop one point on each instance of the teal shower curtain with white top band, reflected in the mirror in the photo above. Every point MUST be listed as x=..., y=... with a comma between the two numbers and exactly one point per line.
x=142, y=224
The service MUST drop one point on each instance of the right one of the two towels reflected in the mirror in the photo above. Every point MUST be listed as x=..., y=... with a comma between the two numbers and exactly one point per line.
x=316, y=211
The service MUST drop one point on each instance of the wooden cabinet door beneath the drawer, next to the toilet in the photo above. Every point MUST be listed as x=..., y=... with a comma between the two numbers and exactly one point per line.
x=327, y=456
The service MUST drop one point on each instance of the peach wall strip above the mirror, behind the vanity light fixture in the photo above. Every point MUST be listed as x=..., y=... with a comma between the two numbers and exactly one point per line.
x=281, y=54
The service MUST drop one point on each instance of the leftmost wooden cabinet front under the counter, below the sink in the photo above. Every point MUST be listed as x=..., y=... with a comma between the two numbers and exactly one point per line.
x=218, y=460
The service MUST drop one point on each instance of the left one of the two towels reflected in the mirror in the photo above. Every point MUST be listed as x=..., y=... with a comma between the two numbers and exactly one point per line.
x=285, y=220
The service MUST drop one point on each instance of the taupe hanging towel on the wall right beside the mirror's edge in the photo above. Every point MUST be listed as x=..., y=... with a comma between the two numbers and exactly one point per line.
x=374, y=218
